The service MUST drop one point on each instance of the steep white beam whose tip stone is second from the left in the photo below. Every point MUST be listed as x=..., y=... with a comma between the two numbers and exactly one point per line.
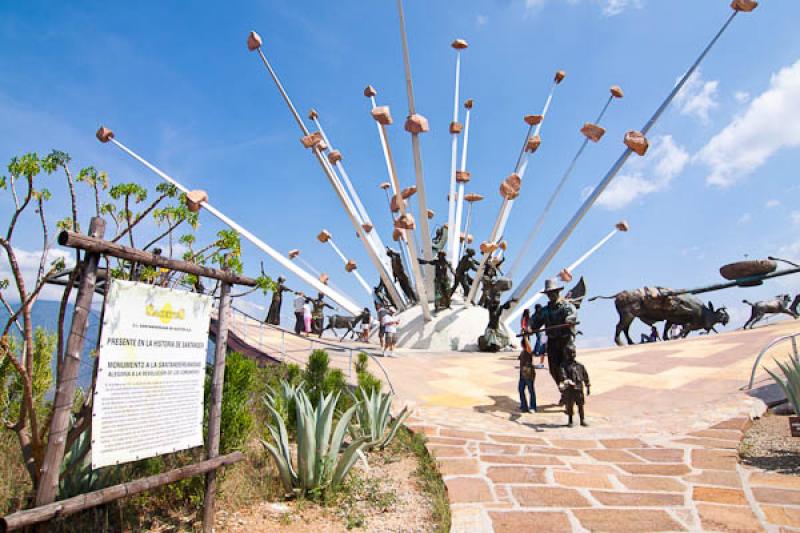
x=337, y=186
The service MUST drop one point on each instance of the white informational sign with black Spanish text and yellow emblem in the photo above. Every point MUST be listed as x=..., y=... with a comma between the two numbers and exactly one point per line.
x=149, y=394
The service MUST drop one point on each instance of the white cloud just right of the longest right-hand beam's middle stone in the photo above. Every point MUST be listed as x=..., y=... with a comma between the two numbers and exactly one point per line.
x=665, y=160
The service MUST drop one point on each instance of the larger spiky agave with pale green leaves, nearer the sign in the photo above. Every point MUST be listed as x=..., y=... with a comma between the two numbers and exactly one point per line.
x=318, y=466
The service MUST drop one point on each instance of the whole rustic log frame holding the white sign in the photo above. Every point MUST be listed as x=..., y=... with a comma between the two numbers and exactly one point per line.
x=46, y=507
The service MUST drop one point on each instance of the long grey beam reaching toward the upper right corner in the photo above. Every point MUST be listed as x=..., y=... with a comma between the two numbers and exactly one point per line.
x=559, y=241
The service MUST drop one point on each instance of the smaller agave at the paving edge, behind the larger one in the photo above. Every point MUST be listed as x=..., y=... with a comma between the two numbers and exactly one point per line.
x=374, y=421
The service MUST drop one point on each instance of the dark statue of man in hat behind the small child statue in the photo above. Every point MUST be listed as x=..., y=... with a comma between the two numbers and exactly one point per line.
x=559, y=318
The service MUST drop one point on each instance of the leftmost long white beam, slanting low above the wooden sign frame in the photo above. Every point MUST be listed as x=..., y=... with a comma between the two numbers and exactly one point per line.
x=333, y=294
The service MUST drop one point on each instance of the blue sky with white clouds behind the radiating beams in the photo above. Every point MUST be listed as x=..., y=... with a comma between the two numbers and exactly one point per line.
x=177, y=84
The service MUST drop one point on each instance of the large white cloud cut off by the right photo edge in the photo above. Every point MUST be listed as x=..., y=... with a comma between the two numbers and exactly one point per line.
x=770, y=123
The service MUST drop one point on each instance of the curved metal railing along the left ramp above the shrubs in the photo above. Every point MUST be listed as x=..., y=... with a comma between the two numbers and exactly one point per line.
x=341, y=356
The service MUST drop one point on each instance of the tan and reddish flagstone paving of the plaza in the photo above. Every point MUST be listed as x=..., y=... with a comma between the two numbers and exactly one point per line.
x=660, y=454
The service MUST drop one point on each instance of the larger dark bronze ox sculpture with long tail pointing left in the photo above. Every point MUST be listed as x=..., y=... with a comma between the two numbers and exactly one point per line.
x=656, y=304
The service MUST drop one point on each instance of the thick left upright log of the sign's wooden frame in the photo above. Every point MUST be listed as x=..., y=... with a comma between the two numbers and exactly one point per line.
x=65, y=390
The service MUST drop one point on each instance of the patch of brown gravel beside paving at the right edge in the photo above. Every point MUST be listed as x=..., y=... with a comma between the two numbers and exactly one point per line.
x=768, y=444
